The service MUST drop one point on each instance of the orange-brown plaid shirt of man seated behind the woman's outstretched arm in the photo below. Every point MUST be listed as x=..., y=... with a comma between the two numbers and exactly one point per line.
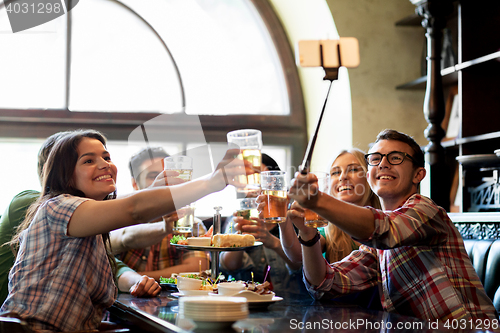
x=159, y=256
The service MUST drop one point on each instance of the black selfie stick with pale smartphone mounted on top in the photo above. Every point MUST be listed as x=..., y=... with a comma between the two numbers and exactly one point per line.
x=331, y=54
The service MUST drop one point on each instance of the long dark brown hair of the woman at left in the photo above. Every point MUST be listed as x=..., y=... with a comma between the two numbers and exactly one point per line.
x=57, y=179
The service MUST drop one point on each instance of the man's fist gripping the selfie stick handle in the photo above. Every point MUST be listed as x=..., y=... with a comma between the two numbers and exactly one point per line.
x=305, y=190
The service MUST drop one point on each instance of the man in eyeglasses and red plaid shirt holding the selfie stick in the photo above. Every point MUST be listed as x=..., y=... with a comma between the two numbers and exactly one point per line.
x=411, y=250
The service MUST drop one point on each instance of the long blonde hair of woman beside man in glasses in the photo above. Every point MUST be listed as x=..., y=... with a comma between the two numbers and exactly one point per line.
x=338, y=243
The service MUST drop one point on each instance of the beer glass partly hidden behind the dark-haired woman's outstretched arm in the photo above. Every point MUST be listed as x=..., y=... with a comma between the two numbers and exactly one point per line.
x=184, y=166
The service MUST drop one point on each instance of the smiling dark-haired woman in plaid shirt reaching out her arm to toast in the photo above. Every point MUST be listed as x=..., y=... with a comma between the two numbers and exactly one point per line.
x=62, y=279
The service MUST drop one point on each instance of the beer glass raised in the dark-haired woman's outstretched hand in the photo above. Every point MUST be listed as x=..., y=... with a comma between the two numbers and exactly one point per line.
x=250, y=143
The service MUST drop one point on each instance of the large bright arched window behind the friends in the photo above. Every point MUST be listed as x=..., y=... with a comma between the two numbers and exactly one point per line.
x=114, y=65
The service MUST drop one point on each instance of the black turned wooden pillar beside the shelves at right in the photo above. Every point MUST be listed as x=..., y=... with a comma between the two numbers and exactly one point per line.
x=434, y=14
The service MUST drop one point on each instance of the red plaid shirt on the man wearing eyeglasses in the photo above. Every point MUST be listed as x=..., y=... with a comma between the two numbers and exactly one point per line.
x=418, y=260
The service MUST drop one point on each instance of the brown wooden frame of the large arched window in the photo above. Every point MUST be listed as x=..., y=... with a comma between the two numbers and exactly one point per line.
x=289, y=130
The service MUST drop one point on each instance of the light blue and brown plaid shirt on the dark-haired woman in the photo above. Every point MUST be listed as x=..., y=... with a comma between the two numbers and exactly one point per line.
x=60, y=282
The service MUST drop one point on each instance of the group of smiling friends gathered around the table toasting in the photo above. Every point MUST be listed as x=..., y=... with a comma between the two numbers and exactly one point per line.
x=385, y=247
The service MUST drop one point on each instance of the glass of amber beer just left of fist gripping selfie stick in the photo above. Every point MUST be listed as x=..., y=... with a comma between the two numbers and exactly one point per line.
x=275, y=187
